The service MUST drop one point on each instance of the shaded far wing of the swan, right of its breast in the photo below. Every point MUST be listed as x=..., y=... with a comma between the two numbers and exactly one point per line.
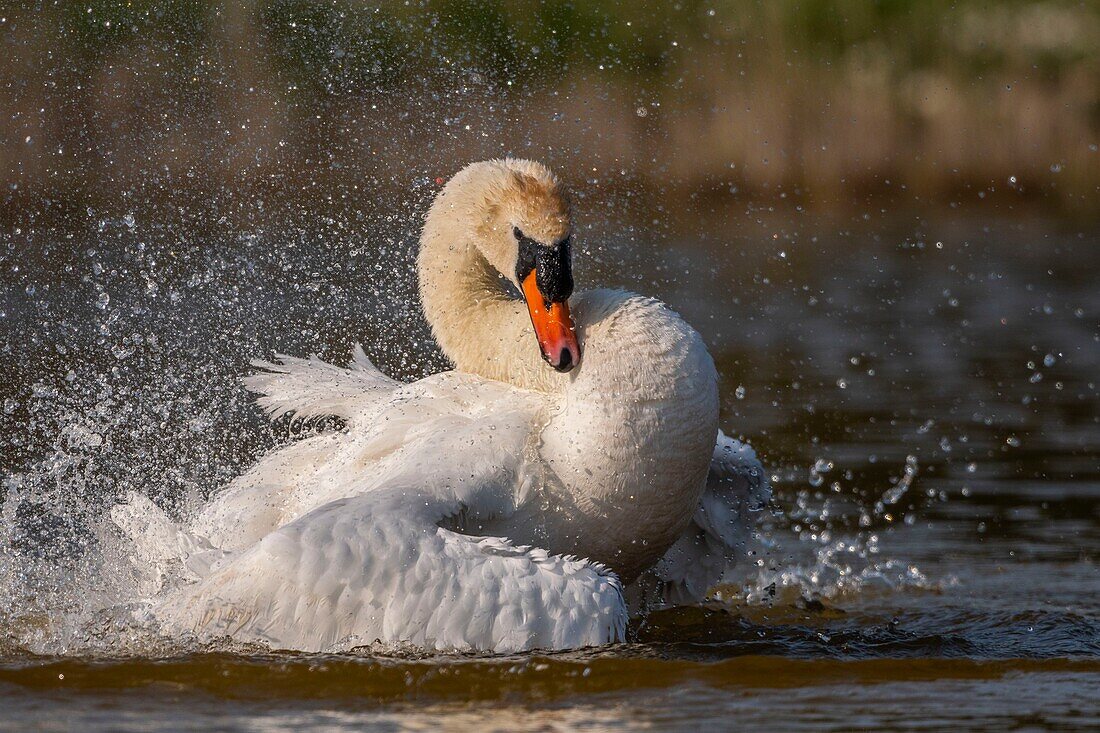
x=736, y=489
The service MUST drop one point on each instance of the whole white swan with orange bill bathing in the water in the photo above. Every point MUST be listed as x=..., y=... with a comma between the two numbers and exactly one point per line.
x=570, y=460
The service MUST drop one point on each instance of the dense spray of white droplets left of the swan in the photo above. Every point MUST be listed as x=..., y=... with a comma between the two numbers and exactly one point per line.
x=140, y=392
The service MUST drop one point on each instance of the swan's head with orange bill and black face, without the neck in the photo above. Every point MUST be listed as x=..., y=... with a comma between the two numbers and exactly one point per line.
x=520, y=221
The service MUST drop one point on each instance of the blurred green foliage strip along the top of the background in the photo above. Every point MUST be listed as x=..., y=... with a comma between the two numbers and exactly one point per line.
x=344, y=46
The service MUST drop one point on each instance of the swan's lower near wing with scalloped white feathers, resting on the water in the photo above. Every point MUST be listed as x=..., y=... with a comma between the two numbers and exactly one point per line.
x=379, y=567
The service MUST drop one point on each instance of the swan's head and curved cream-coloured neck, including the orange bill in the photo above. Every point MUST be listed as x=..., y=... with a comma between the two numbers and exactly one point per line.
x=507, y=218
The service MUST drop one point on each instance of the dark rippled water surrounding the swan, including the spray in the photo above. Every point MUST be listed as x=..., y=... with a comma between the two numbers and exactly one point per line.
x=925, y=393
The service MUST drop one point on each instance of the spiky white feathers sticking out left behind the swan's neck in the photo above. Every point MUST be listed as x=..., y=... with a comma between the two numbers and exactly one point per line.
x=311, y=388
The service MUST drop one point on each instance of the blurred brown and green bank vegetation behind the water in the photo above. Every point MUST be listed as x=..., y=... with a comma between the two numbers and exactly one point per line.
x=823, y=103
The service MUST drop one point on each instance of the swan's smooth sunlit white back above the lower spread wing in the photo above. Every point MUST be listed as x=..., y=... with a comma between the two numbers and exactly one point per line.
x=444, y=431
